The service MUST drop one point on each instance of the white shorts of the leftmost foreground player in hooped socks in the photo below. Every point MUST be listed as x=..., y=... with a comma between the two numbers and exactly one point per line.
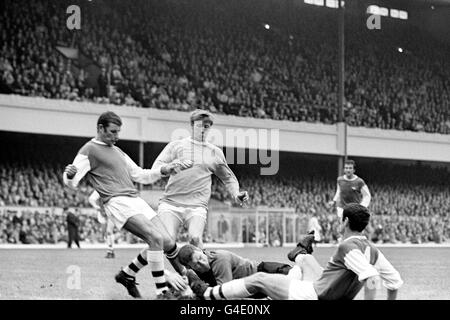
x=120, y=209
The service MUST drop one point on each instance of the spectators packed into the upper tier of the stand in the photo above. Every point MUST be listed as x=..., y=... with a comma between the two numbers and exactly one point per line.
x=186, y=54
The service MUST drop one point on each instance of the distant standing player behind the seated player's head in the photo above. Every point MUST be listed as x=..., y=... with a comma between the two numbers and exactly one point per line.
x=350, y=189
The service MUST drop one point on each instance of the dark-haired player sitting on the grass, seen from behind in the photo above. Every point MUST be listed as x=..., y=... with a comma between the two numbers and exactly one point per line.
x=356, y=263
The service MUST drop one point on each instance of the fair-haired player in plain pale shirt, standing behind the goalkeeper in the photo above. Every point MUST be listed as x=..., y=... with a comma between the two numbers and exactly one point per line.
x=186, y=196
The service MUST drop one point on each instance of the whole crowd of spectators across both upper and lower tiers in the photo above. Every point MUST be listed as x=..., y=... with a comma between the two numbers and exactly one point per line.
x=181, y=55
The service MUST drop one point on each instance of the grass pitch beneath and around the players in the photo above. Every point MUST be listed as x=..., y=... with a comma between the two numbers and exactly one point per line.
x=53, y=273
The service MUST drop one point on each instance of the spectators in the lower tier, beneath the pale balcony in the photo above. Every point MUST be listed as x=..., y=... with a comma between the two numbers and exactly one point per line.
x=406, y=206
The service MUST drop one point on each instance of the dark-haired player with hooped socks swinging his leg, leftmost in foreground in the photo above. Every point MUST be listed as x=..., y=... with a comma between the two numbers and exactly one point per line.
x=112, y=174
